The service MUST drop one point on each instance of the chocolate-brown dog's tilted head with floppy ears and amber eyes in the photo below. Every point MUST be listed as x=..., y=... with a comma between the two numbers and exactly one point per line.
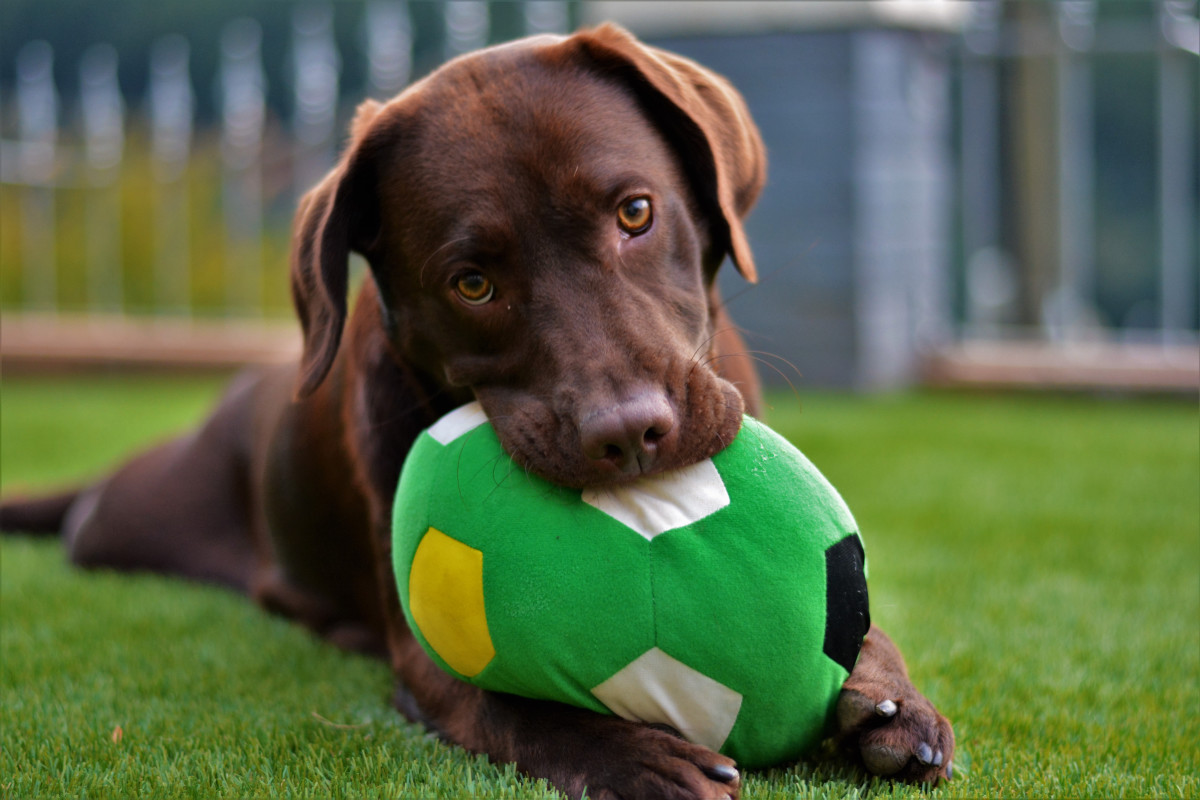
x=544, y=222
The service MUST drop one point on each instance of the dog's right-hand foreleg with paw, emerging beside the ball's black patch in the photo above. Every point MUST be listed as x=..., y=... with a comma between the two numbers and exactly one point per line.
x=891, y=726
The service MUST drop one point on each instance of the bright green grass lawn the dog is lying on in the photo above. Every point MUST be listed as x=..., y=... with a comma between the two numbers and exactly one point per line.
x=1037, y=560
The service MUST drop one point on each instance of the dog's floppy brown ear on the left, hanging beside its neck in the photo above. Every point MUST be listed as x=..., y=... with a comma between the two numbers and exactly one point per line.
x=340, y=215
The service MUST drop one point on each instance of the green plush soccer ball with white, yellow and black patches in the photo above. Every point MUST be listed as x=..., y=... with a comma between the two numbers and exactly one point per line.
x=727, y=599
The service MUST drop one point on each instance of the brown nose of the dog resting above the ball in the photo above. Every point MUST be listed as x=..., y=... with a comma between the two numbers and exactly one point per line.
x=628, y=436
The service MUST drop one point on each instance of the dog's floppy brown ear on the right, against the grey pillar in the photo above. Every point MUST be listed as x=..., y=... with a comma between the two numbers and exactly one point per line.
x=707, y=121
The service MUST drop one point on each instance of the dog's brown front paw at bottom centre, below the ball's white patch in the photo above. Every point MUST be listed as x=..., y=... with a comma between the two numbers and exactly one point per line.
x=656, y=765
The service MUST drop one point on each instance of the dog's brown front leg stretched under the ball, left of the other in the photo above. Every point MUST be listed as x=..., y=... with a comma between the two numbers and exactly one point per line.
x=575, y=750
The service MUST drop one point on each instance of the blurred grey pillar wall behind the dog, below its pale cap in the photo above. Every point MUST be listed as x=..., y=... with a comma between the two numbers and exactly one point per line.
x=849, y=234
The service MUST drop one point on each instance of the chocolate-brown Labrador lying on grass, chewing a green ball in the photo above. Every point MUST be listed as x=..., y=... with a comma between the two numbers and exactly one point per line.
x=543, y=222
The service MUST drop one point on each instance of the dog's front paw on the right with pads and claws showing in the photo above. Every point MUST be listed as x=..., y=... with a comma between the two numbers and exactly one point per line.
x=897, y=732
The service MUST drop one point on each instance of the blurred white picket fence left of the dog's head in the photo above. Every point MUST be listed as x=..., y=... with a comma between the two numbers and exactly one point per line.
x=263, y=164
